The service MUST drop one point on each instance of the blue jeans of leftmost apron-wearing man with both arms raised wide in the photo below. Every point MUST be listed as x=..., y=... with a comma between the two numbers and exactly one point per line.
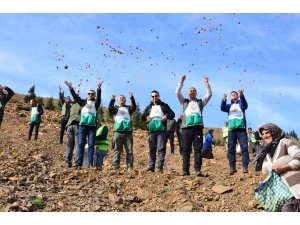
x=83, y=133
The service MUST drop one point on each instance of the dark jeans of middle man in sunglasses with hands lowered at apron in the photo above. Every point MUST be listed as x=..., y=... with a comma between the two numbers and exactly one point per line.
x=157, y=142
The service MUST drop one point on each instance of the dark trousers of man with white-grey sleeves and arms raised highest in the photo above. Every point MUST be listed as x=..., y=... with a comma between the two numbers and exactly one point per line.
x=192, y=136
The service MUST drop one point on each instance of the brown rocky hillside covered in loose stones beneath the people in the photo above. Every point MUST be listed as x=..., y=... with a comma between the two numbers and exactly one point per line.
x=33, y=177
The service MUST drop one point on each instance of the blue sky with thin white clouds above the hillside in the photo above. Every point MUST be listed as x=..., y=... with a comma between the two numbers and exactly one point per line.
x=256, y=52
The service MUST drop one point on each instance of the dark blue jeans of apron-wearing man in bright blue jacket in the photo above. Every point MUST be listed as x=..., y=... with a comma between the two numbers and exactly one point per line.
x=241, y=136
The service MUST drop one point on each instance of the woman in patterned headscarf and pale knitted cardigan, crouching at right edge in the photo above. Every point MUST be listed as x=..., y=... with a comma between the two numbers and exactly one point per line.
x=285, y=161
